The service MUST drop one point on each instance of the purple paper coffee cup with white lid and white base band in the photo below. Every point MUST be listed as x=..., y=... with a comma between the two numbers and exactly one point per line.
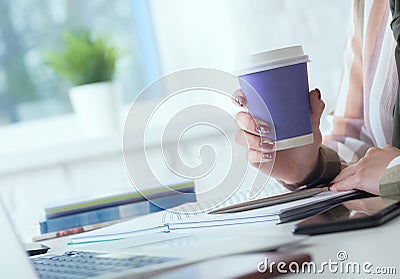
x=277, y=81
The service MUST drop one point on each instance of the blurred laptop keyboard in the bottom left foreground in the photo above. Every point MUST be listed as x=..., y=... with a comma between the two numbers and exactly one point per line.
x=82, y=264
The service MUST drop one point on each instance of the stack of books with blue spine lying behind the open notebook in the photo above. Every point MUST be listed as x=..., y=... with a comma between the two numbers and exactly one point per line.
x=91, y=214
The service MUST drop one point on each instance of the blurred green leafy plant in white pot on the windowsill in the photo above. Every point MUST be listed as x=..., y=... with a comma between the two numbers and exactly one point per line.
x=84, y=59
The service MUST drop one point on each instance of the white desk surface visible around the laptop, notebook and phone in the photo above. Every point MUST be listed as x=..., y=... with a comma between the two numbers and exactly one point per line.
x=379, y=246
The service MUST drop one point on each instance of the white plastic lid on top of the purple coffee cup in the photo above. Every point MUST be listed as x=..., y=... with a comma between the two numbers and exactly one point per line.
x=272, y=59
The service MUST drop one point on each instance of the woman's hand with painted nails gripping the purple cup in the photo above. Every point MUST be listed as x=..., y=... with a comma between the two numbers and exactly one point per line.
x=291, y=165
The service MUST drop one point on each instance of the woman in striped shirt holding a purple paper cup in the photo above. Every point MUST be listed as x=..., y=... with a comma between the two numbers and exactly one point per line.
x=357, y=153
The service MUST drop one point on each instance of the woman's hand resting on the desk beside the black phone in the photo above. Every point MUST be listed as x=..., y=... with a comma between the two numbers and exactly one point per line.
x=365, y=174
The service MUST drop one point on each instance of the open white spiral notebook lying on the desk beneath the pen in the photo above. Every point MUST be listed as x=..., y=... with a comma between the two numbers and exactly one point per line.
x=194, y=216
